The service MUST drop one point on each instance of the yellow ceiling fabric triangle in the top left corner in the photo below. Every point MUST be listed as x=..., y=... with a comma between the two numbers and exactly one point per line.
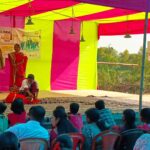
x=9, y=4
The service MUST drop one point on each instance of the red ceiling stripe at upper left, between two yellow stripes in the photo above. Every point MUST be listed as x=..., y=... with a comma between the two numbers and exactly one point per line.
x=39, y=6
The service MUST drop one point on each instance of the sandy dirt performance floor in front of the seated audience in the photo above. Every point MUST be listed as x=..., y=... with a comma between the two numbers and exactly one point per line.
x=114, y=100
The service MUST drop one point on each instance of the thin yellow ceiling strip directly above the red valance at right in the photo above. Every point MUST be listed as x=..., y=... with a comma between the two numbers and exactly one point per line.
x=138, y=16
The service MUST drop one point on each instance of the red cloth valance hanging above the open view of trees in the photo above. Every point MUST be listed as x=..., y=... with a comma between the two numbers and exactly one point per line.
x=120, y=28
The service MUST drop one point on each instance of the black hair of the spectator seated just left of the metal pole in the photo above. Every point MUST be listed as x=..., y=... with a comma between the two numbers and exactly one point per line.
x=129, y=117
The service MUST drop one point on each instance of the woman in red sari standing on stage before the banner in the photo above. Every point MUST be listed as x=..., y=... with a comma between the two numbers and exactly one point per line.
x=18, y=63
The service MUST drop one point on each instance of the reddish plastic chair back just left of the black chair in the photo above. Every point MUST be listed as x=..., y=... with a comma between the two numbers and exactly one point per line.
x=105, y=139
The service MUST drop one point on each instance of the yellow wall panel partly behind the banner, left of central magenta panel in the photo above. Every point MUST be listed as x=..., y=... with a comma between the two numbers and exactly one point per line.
x=41, y=67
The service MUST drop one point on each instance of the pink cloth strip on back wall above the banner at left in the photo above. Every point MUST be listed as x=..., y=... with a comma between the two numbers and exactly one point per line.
x=11, y=21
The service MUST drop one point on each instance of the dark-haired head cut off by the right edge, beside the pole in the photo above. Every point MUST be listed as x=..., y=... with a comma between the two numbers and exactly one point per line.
x=145, y=115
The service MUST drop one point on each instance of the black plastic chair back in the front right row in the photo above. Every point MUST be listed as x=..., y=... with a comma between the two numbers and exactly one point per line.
x=127, y=139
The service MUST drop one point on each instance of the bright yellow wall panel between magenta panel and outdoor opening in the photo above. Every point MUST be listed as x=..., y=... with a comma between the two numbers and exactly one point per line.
x=87, y=69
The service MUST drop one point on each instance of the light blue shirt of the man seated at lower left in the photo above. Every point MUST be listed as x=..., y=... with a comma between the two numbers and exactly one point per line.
x=31, y=129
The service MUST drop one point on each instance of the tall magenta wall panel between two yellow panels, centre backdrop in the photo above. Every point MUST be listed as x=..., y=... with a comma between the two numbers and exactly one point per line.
x=65, y=57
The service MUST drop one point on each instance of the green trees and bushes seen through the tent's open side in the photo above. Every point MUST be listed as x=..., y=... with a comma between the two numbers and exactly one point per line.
x=121, y=78
